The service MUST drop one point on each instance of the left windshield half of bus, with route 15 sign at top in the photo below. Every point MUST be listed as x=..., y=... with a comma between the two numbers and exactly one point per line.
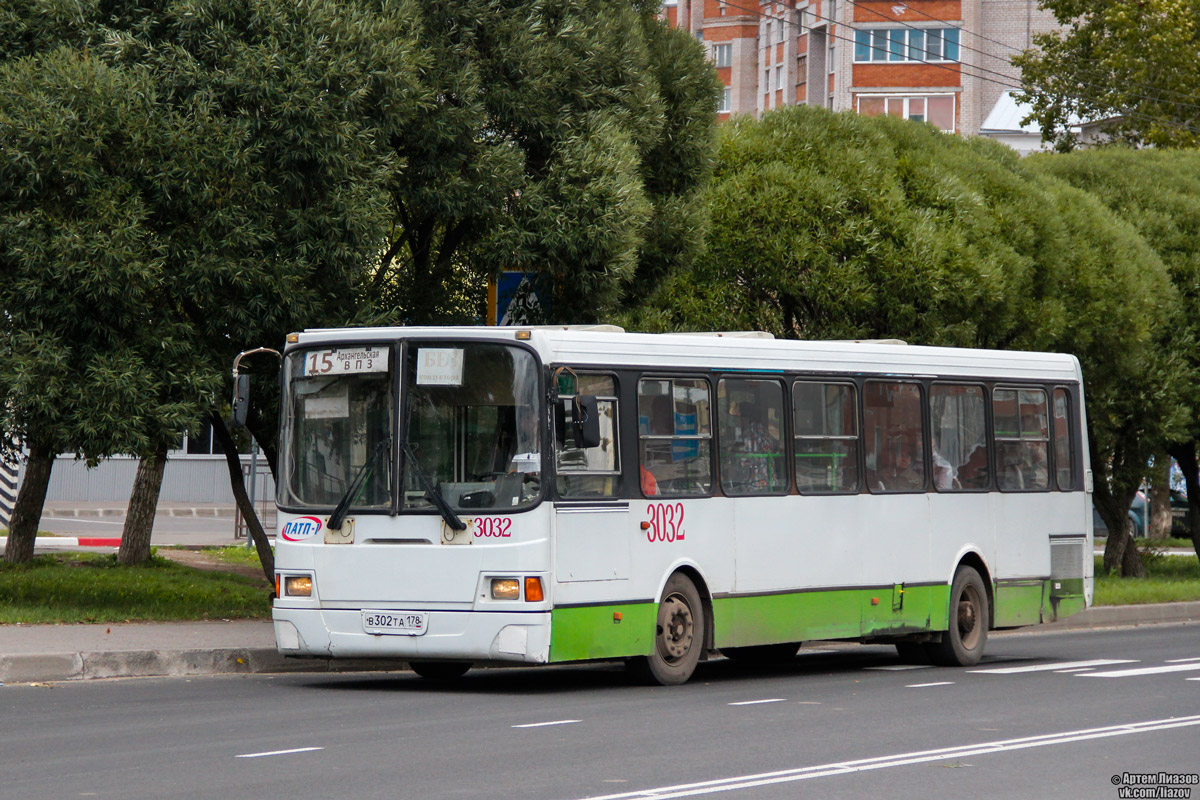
x=338, y=423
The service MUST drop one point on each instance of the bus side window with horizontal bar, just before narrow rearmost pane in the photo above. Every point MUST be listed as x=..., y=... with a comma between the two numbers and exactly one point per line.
x=1019, y=417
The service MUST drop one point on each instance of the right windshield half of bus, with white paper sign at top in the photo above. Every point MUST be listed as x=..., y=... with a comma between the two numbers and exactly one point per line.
x=472, y=426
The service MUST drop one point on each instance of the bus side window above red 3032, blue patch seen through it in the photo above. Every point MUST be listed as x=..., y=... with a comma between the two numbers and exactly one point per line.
x=675, y=436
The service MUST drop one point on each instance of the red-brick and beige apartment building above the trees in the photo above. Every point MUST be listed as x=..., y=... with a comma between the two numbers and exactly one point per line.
x=943, y=62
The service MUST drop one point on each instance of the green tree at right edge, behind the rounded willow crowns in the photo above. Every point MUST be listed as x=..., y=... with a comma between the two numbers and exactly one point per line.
x=1156, y=191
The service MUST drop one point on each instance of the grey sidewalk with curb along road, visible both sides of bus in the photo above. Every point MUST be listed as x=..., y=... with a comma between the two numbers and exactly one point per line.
x=56, y=653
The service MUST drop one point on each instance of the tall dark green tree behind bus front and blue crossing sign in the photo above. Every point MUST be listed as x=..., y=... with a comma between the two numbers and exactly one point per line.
x=567, y=140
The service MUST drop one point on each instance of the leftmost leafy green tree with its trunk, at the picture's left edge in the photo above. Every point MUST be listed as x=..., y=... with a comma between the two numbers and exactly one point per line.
x=93, y=363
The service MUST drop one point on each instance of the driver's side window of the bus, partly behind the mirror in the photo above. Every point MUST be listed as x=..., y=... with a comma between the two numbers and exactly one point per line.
x=591, y=472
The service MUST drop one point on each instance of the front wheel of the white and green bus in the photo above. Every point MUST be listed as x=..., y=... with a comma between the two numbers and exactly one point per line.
x=679, y=637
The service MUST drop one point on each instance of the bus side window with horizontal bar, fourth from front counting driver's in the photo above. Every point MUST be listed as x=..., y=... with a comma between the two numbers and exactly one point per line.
x=826, y=429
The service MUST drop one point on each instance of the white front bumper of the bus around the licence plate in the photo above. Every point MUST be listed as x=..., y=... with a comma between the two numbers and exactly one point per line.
x=465, y=636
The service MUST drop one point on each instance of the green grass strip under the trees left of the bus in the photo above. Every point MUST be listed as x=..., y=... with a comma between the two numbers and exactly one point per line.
x=94, y=588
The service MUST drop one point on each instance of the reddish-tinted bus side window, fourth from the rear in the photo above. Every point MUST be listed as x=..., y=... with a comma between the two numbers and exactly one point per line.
x=895, y=432
